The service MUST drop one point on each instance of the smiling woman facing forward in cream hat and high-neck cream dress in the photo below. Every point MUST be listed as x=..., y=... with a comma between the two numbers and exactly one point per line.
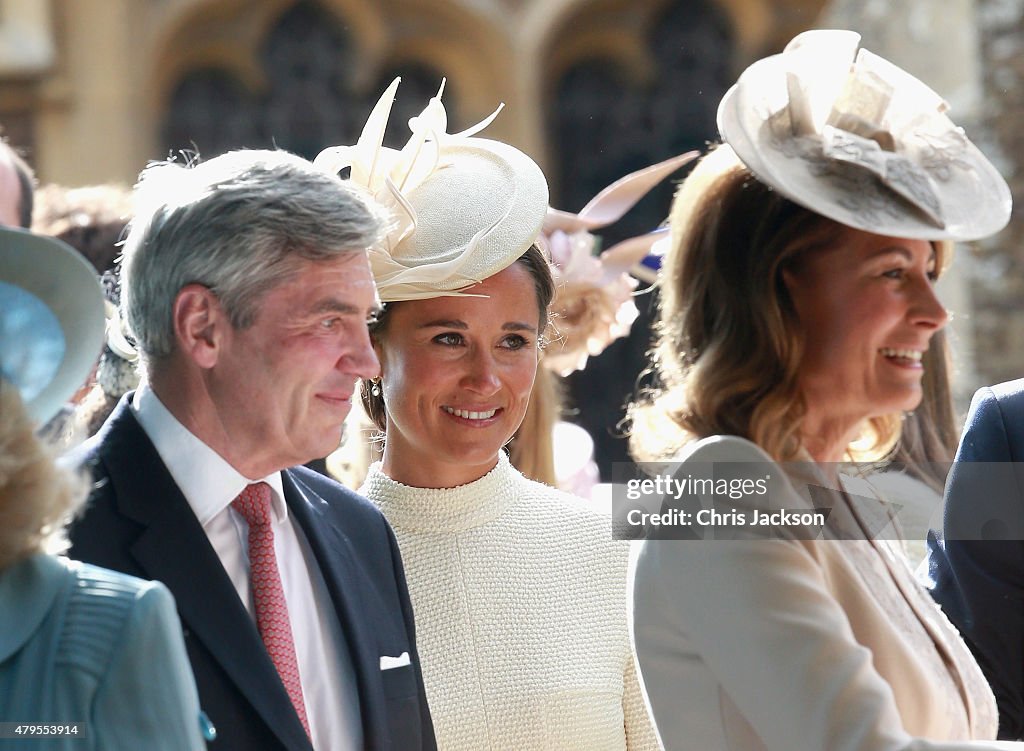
x=520, y=591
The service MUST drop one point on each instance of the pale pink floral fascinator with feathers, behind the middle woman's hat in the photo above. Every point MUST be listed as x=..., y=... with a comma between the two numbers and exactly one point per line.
x=593, y=305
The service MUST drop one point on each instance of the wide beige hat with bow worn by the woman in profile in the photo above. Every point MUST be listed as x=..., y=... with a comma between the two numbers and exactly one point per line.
x=851, y=137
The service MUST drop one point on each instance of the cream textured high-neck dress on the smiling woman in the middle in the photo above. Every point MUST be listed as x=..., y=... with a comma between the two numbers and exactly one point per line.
x=520, y=597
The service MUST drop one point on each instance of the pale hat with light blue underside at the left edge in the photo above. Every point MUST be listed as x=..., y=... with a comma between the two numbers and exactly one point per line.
x=52, y=320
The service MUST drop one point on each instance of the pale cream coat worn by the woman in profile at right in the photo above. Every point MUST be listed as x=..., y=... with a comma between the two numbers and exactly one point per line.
x=797, y=645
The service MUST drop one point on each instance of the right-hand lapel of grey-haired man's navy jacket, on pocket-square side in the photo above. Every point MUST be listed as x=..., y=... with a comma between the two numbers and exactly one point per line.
x=347, y=583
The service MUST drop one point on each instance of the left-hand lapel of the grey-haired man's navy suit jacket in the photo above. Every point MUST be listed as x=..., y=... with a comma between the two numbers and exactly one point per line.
x=175, y=550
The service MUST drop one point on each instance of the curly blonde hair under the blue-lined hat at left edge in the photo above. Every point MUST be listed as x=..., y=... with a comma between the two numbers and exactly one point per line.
x=37, y=497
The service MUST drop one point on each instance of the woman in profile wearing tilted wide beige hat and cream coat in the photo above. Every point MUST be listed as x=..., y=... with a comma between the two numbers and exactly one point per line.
x=797, y=303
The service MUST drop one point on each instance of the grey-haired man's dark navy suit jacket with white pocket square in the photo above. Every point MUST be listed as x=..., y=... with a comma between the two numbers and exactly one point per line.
x=140, y=523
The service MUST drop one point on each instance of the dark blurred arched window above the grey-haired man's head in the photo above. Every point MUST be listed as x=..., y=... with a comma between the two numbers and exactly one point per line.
x=303, y=86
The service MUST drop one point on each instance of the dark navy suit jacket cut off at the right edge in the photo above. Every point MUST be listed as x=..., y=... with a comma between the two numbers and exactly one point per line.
x=977, y=571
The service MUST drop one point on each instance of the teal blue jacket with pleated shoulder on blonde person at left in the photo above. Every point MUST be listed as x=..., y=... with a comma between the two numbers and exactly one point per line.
x=79, y=644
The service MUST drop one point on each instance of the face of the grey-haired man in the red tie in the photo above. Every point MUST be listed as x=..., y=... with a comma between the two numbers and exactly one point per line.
x=284, y=386
